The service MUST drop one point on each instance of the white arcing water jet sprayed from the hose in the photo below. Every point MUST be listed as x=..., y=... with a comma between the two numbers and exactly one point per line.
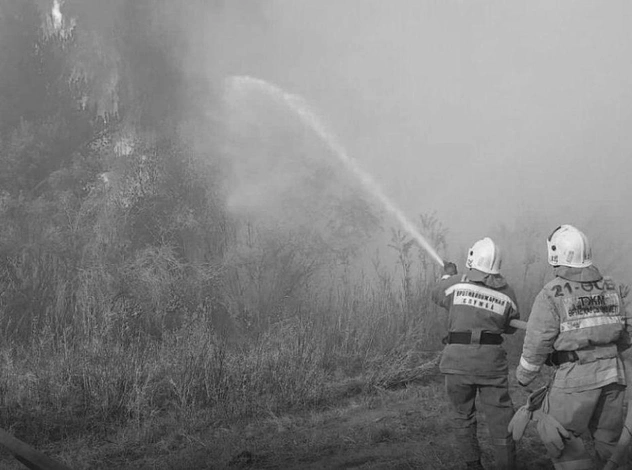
x=244, y=84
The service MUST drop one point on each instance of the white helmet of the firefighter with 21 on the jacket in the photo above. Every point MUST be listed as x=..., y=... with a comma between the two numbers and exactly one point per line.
x=569, y=246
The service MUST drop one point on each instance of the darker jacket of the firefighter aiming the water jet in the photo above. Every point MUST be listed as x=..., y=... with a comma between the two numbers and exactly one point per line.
x=476, y=303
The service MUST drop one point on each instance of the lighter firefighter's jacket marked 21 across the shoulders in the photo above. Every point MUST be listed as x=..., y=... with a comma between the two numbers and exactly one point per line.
x=580, y=311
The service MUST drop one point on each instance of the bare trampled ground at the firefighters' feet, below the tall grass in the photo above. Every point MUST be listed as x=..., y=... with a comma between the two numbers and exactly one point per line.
x=397, y=429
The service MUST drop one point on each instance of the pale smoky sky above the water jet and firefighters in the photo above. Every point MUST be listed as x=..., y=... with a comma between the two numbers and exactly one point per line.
x=482, y=111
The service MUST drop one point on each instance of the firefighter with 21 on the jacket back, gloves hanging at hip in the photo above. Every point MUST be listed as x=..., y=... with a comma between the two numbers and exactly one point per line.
x=578, y=324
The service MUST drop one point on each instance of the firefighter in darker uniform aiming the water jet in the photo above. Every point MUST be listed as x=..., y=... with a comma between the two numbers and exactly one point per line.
x=480, y=305
